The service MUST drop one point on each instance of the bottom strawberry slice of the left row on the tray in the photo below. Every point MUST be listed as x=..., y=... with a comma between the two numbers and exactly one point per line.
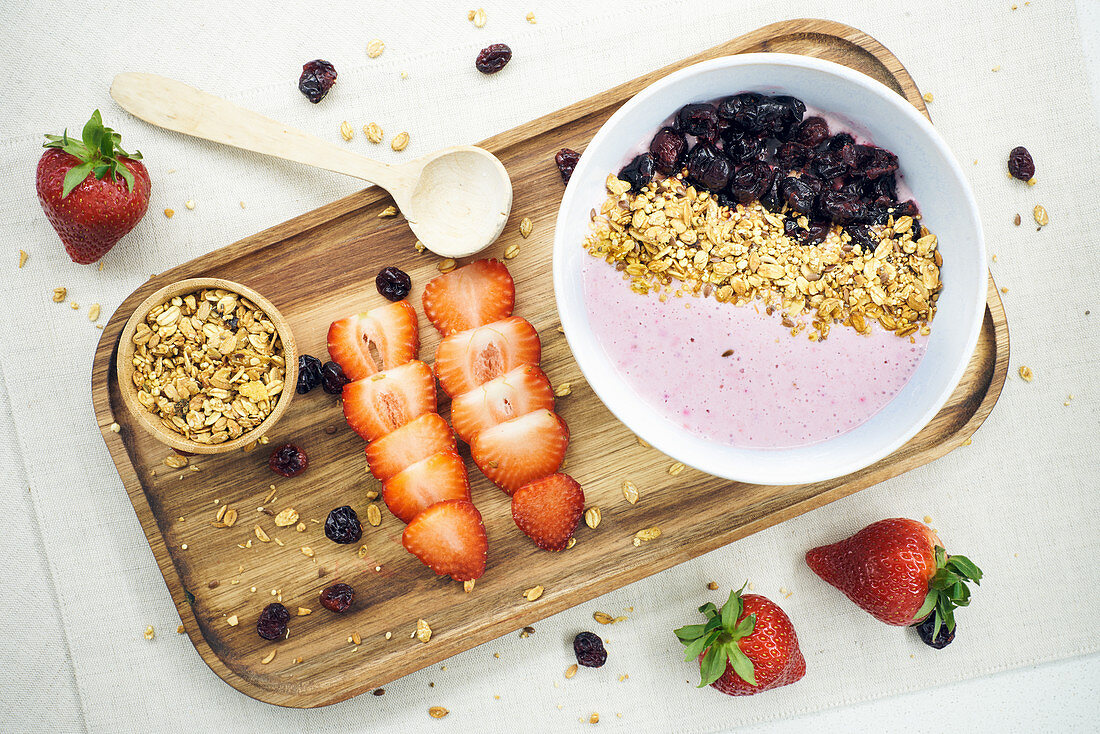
x=449, y=538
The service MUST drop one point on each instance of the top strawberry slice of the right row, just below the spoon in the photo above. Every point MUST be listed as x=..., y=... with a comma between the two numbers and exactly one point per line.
x=469, y=298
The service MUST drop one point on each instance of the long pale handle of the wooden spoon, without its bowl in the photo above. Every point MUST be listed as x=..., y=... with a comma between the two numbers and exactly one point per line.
x=177, y=106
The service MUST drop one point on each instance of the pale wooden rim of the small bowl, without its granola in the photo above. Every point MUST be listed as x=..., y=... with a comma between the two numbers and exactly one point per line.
x=150, y=421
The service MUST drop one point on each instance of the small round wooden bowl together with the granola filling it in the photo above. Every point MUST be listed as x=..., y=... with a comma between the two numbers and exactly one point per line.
x=207, y=366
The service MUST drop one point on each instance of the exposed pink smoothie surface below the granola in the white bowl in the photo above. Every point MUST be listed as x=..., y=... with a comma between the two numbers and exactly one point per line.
x=775, y=391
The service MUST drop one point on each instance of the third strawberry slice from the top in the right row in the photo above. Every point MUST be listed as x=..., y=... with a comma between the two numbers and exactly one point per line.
x=514, y=395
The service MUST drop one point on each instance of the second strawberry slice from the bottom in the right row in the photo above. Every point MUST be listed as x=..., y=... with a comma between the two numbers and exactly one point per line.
x=521, y=451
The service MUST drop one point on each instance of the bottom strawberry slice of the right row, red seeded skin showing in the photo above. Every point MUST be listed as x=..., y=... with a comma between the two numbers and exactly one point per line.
x=548, y=510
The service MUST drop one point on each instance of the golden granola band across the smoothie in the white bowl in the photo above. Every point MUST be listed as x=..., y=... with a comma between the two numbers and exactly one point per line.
x=669, y=232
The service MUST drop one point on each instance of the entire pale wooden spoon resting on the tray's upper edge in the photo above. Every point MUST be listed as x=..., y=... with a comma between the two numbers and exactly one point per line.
x=456, y=201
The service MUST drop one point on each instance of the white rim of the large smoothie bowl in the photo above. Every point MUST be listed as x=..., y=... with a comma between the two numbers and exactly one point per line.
x=744, y=472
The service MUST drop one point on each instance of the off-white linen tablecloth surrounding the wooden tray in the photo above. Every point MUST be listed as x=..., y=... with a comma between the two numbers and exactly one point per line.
x=80, y=583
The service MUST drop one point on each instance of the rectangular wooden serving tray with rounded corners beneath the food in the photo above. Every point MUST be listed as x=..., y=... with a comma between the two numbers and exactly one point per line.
x=293, y=266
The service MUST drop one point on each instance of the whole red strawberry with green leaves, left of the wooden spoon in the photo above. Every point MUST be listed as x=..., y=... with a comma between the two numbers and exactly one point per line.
x=92, y=191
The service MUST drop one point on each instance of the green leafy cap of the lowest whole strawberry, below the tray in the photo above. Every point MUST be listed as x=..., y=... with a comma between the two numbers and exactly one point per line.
x=719, y=637
